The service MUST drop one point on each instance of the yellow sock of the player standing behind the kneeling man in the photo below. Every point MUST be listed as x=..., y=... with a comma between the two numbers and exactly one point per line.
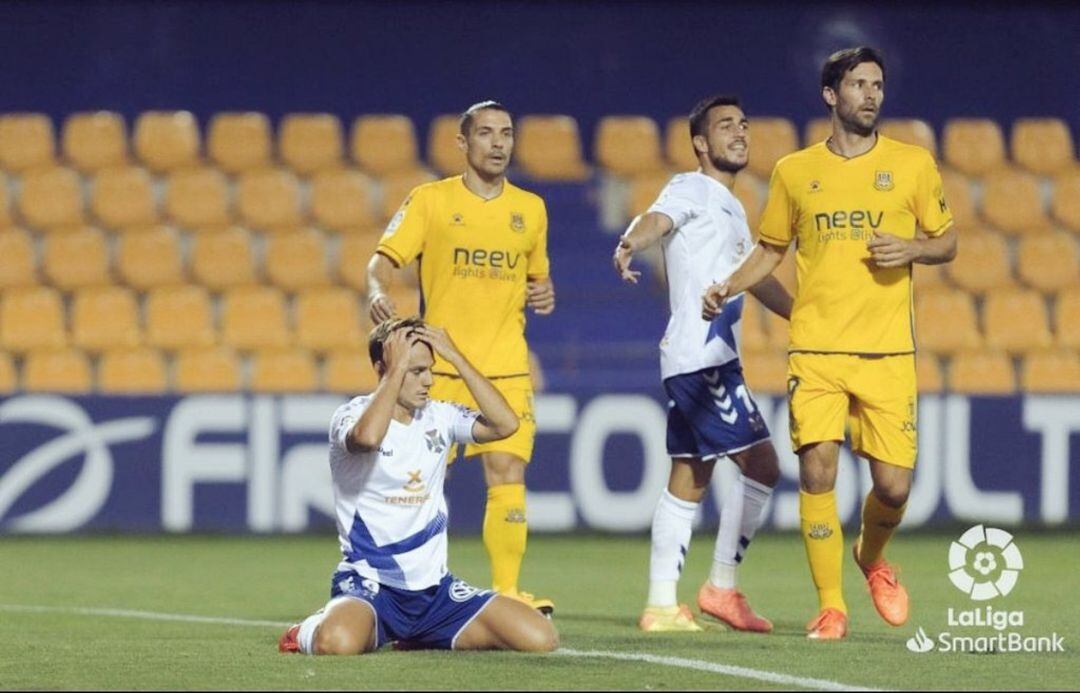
x=505, y=535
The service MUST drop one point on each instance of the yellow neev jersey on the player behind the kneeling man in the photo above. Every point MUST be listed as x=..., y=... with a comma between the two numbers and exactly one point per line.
x=476, y=259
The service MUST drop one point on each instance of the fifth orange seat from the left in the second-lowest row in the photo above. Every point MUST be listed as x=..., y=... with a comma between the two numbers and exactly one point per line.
x=330, y=319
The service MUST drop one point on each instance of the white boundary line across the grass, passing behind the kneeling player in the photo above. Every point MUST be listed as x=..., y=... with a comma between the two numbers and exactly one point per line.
x=699, y=665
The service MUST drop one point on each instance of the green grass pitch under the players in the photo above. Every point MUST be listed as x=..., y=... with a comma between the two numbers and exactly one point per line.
x=599, y=585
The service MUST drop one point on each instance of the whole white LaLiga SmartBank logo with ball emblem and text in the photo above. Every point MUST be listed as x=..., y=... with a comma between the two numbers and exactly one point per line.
x=984, y=564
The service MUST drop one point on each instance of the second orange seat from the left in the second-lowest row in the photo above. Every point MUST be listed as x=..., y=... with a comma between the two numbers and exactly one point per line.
x=105, y=318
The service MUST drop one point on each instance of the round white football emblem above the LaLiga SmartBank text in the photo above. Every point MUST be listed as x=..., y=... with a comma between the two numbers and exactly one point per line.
x=985, y=563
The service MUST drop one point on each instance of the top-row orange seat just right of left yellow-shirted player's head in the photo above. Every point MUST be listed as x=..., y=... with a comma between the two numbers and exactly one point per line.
x=549, y=148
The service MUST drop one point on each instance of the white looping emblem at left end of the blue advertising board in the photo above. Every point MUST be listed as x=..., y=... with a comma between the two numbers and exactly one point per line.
x=91, y=488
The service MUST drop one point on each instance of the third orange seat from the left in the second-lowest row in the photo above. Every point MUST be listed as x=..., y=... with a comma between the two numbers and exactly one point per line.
x=180, y=318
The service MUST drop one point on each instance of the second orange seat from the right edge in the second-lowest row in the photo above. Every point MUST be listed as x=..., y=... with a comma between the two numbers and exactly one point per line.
x=1016, y=321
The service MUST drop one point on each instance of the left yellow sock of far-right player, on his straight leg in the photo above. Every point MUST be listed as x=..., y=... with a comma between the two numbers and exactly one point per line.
x=825, y=542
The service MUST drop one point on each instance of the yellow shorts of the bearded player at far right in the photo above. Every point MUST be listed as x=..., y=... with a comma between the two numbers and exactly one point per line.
x=876, y=396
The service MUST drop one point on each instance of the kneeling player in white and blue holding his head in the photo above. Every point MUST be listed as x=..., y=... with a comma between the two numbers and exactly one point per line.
x=388, y=461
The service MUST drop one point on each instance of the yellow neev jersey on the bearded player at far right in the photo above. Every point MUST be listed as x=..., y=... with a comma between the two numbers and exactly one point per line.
x=831, y=207
